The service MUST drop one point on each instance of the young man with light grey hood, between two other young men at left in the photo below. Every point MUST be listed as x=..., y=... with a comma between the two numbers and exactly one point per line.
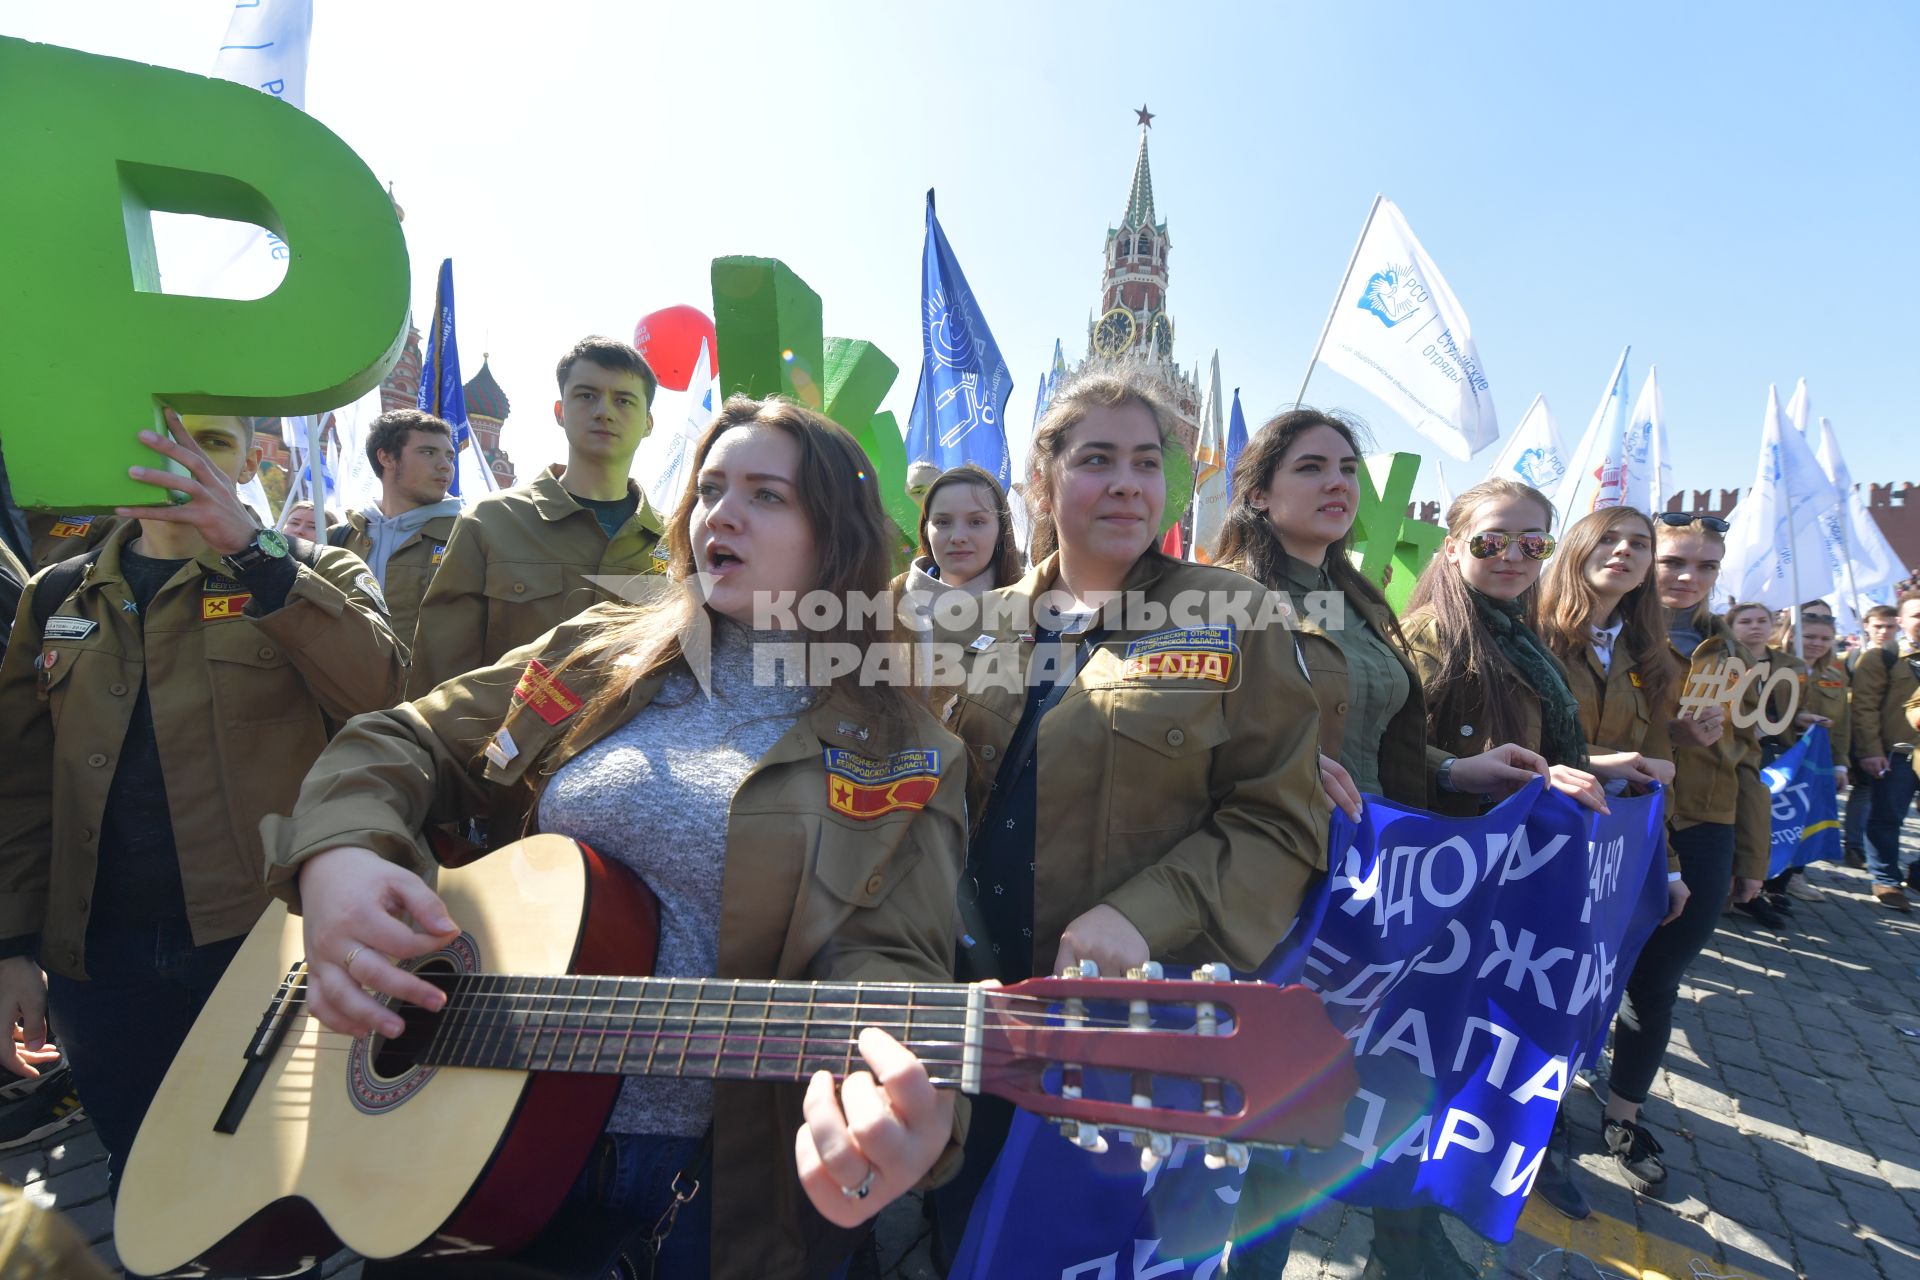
x=406, y=534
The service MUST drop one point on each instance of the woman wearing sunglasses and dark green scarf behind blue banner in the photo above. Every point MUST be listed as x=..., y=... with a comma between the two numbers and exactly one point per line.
x=1489, y=678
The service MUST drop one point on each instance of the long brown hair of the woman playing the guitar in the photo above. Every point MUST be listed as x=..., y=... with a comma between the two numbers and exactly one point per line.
x=834, y=488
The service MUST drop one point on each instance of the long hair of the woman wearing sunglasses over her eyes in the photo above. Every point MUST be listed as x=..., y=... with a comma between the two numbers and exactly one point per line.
x=1470, y=659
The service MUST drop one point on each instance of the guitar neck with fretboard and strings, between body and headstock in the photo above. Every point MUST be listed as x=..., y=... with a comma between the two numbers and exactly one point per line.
x=725, y=1030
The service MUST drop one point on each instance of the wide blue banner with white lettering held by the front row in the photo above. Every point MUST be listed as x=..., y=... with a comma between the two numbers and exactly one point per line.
x=1476, y=962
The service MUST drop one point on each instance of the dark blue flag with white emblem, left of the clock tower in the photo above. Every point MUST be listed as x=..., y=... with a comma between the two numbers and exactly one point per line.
x=959, y=408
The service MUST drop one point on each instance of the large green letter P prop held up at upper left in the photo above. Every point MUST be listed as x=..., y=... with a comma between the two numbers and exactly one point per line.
x=91, y=348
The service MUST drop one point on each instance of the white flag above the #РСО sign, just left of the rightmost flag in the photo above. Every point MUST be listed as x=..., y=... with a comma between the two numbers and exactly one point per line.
x=1775, y=550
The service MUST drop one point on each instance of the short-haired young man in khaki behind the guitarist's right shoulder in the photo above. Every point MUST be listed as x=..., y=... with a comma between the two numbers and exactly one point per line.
x=521, y=559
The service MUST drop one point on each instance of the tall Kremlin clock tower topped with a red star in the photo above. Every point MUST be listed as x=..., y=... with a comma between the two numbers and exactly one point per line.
x=1134, y=321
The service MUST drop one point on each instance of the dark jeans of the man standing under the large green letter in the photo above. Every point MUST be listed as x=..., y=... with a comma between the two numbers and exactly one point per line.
x=122, y=1026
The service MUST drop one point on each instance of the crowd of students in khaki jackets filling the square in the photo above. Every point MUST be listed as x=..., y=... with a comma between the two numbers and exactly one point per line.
x=1109, y=763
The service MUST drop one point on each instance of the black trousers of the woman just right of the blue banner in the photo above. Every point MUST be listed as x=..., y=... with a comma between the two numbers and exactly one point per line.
x=1648, y=1007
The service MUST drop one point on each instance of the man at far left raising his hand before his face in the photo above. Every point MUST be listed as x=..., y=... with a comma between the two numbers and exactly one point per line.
x=156, y=705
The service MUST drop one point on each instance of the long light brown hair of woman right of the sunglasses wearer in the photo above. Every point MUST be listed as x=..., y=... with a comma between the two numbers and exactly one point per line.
x=1570, y=604
